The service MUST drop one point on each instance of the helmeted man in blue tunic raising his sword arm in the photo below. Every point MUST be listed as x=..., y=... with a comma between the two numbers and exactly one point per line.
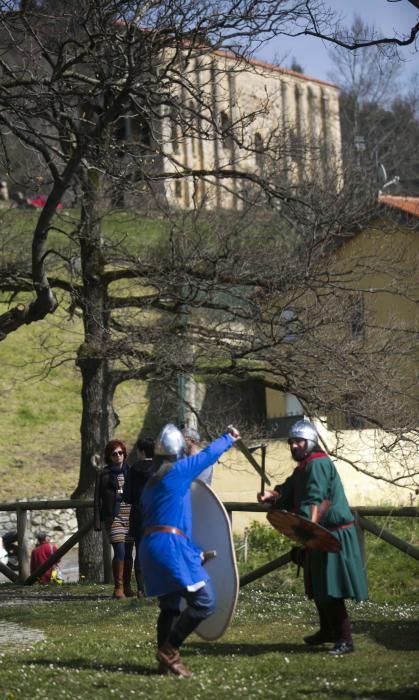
x=170, y=560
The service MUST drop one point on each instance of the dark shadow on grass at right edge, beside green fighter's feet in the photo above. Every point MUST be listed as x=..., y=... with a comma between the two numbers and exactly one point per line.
x=400, y=635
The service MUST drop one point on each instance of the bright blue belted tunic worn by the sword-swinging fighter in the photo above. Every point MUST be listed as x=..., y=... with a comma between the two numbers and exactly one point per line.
x=171, y=562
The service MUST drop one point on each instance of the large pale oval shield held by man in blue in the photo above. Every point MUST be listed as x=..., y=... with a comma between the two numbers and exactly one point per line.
x=211, y=531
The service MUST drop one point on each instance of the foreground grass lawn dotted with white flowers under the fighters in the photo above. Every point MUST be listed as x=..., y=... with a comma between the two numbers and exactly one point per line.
x=98, y=647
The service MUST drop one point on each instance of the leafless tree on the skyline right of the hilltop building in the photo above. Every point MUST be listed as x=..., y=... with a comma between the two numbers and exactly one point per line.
x=379, y=124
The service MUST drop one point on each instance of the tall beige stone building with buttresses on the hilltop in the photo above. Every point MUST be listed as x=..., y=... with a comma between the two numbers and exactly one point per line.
x=253, y=118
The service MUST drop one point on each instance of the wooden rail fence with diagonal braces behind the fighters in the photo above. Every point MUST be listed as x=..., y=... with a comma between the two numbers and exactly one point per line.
x=26, y=577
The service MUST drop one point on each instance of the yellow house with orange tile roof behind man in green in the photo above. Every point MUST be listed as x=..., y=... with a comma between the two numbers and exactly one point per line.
x=374, y=471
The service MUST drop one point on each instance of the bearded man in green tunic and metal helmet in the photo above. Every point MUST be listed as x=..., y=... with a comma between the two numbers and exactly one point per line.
x=315, y=491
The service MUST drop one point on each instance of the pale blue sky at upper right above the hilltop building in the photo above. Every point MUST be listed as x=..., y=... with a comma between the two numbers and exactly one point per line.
x=312, y=54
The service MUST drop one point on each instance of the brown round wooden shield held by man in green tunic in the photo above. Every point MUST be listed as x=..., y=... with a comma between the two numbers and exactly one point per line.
x=303, y=531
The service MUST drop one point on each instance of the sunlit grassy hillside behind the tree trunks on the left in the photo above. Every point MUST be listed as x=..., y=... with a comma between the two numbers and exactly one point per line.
x=40, y=385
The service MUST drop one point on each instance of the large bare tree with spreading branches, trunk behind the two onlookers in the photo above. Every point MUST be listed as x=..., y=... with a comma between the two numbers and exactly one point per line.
x=200, y=302
